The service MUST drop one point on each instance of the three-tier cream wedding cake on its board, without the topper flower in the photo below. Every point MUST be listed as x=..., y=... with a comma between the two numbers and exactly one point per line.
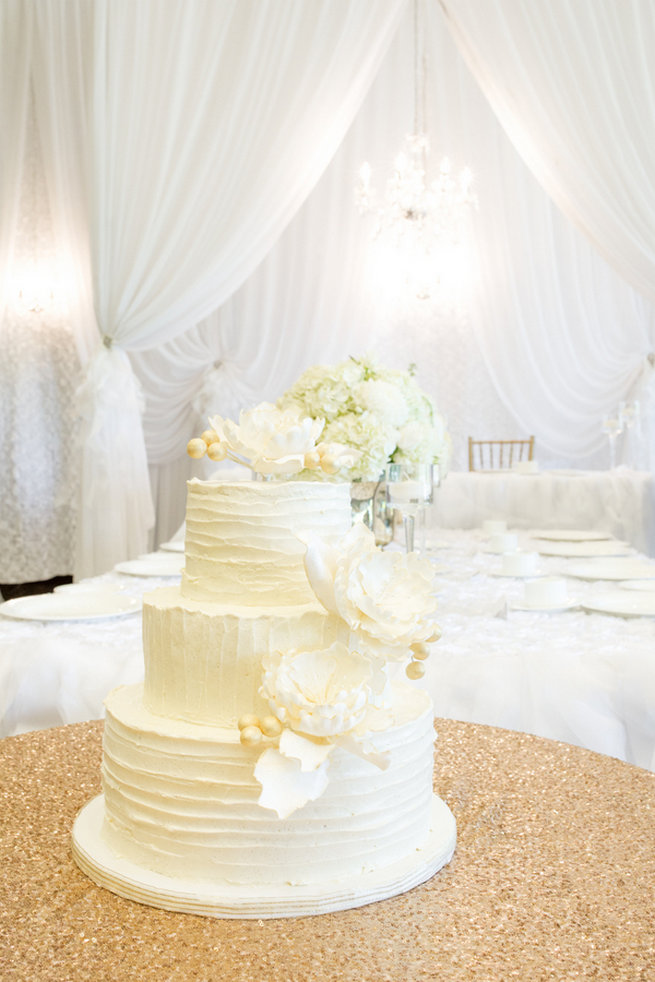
x=269, y=765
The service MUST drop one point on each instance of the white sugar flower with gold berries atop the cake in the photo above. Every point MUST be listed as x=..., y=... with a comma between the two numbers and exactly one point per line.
x=271, y=441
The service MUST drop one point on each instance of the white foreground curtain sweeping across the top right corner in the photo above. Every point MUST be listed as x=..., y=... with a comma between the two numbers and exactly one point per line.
x=573, y=84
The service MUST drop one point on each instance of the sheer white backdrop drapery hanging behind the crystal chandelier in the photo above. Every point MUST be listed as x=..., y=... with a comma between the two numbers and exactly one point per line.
x=561, y=334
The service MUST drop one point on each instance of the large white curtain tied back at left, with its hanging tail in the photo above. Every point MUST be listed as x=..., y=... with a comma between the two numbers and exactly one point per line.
x=165, y=200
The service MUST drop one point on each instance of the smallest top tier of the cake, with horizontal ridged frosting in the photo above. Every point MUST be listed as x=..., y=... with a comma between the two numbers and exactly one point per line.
x=244, y=541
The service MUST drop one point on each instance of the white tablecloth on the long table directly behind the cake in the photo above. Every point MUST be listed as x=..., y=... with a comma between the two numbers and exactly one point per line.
x=586, y=679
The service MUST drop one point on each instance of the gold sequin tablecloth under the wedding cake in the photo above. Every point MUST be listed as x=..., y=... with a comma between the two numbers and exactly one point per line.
x=553, y=878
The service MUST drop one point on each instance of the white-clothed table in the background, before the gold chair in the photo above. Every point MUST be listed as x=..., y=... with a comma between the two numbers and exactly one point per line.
x=620, y=501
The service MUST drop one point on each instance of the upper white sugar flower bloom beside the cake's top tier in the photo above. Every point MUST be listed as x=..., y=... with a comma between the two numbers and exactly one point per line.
x=386, y=598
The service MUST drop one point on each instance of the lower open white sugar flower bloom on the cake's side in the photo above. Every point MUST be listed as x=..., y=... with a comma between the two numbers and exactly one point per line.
x=320, y=693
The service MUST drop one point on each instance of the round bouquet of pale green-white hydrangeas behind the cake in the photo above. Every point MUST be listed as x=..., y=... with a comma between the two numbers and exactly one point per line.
x=380, y=413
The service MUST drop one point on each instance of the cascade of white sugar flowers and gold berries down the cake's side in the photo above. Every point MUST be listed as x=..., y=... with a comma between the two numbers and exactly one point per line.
x=338, y=696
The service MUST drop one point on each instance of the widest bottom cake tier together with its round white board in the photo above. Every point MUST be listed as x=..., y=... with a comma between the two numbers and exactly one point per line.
x=180, y=804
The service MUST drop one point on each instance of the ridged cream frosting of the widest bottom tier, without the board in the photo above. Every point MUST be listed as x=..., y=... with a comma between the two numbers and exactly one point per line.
x=181, y=799
